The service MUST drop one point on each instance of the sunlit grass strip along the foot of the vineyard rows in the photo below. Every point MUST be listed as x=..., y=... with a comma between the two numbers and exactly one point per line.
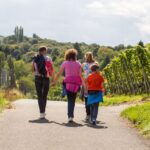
x=120, y=99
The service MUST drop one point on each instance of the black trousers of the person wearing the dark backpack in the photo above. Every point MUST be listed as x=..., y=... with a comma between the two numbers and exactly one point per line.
x=42, y=88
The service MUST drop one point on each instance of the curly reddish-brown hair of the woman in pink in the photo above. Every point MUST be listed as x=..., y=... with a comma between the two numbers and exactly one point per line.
x=71, y=54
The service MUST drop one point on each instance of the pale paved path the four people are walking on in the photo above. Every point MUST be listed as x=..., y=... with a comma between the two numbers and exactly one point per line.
x=20, y=131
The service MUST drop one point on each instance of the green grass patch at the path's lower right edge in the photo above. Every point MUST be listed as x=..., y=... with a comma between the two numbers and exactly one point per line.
x=140, y=116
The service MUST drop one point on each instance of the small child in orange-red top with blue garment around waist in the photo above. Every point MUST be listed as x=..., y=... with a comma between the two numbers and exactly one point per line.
x=95, y=91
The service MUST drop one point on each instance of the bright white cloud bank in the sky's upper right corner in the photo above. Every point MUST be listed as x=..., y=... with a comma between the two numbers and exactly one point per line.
x=138, y=10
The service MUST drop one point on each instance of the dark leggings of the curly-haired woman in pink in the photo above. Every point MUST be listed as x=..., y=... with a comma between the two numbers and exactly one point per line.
x=71, y=103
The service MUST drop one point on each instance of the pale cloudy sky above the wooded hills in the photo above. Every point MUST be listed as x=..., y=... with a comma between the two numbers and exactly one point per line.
x=105, y=22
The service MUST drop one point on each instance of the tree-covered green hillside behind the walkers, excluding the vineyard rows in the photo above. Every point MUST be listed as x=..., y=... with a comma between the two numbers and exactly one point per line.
x=17, y=50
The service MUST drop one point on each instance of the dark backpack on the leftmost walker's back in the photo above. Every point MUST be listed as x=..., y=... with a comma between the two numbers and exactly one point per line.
x=40, y=61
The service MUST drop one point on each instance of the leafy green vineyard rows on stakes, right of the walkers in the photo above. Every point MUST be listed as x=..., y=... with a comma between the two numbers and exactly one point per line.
x=129, y=73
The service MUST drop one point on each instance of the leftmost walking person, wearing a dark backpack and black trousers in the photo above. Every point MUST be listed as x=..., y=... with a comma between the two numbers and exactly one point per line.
x=43, y=69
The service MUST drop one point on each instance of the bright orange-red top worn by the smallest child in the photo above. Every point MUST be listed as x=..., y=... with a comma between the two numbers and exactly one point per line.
x=95, y=81
